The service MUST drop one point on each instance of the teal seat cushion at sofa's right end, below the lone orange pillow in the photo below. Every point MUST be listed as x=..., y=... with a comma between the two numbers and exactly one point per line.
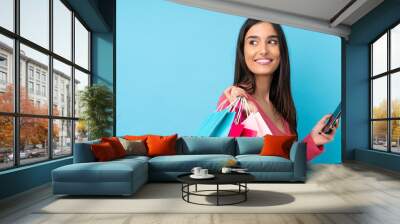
x=257, y=163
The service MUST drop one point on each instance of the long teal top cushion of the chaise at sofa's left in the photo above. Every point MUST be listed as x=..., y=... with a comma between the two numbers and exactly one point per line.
x=111, y=171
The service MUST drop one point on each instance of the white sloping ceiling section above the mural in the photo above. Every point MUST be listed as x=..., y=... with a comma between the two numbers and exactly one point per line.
x=327, y=16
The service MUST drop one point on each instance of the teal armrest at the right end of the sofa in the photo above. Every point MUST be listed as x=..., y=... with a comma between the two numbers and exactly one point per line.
x=298, y=157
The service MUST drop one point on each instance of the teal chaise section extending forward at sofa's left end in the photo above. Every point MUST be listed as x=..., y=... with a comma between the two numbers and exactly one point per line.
x=119, y=177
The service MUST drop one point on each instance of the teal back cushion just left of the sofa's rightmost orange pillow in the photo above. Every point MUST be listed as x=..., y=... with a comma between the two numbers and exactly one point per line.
x=249, y=145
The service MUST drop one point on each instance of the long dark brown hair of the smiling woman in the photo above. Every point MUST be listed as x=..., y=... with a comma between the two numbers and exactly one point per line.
x=280, y=92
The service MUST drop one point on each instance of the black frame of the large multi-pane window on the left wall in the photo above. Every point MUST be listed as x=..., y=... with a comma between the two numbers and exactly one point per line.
x=16, y=115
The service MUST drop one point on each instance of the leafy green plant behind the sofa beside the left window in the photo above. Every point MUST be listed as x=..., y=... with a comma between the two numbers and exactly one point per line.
x=96, y=102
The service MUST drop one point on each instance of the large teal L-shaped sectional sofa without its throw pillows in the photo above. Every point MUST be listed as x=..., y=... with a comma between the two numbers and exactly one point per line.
x=125, y=176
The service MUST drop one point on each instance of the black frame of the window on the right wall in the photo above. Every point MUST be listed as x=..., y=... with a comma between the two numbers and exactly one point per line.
x=388, y=74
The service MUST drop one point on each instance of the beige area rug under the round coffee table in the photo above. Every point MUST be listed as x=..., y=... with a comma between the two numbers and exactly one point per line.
x=167, y=198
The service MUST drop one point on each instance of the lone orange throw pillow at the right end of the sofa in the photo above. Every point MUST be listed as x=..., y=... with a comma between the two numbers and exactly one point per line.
x=277, y=145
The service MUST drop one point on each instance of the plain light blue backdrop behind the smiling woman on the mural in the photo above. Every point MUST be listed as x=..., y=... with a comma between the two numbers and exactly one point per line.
x=174, y=61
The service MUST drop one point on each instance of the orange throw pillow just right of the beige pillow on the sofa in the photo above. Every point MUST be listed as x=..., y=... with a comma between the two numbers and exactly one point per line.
x=161, y=145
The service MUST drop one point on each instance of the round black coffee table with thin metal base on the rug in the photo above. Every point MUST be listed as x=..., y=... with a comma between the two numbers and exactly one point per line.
x=238, y=179
